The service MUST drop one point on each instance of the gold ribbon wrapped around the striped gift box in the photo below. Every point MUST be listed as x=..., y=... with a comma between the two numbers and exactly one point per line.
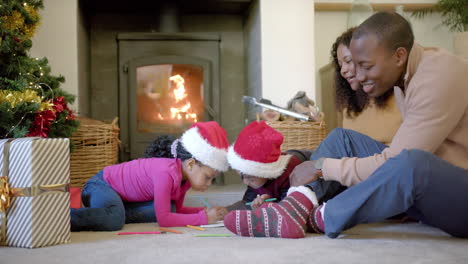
x=6, y=193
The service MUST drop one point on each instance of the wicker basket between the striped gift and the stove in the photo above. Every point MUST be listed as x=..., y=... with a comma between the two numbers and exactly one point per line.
x=96, y=146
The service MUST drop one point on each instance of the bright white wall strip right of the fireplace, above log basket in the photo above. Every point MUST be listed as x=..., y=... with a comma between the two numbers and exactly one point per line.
x=287, y=46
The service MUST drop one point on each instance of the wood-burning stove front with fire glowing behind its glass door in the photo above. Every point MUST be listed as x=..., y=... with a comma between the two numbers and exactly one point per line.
x=167, y=82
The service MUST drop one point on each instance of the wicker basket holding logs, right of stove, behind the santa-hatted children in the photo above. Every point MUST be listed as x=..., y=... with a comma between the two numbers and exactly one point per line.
x=299, y=134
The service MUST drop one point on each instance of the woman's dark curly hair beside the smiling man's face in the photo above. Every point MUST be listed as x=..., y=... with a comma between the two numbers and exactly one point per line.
x=346, y=98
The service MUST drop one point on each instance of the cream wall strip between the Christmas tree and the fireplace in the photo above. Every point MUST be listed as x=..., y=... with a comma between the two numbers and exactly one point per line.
x=57, y=39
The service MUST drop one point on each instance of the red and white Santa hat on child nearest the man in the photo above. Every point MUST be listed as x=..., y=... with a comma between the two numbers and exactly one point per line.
x=257, y=151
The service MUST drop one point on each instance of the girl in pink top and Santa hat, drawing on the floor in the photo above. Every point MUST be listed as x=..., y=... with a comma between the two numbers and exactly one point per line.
x=114, y=196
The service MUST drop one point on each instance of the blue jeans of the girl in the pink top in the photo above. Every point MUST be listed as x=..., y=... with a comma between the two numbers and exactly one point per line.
x=104, y=209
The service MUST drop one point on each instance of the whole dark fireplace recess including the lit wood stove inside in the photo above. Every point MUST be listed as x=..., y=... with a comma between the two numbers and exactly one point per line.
x=135, y=48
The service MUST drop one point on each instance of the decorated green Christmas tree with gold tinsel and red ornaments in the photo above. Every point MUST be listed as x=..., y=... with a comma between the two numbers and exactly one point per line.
x=31, y=101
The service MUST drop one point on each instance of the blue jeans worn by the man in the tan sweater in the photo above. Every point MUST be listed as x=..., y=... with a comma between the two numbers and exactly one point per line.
x=415, y=182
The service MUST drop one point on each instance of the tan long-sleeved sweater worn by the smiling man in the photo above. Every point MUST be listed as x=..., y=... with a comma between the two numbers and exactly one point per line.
x=434, y=109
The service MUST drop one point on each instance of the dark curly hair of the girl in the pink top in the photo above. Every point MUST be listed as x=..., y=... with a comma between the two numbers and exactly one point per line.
x=161, y=148
